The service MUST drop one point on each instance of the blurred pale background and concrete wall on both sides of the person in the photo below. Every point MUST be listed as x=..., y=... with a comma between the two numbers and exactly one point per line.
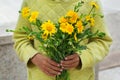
x=12, y=69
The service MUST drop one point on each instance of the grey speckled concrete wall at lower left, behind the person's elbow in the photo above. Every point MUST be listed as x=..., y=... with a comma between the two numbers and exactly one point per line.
x=10, y=66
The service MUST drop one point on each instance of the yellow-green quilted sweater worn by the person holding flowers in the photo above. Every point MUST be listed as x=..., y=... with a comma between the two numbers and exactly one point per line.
x=53, y=9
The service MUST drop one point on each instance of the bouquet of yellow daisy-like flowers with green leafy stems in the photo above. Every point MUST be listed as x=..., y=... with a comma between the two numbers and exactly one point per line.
x=64, y=37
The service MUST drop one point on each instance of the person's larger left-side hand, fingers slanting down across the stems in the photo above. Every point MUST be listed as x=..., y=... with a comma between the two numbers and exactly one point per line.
x=47, y=65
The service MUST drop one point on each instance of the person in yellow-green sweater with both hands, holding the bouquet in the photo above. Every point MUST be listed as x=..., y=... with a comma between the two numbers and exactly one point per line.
x=40, y=66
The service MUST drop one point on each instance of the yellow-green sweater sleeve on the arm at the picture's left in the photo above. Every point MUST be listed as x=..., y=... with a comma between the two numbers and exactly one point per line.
x=22, y=45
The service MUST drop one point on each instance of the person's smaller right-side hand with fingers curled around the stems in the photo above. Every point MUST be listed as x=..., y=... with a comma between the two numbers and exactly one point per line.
x=71, y=61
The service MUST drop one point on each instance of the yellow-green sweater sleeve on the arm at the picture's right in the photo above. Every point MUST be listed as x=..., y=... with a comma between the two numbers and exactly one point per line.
x=97, y=48
